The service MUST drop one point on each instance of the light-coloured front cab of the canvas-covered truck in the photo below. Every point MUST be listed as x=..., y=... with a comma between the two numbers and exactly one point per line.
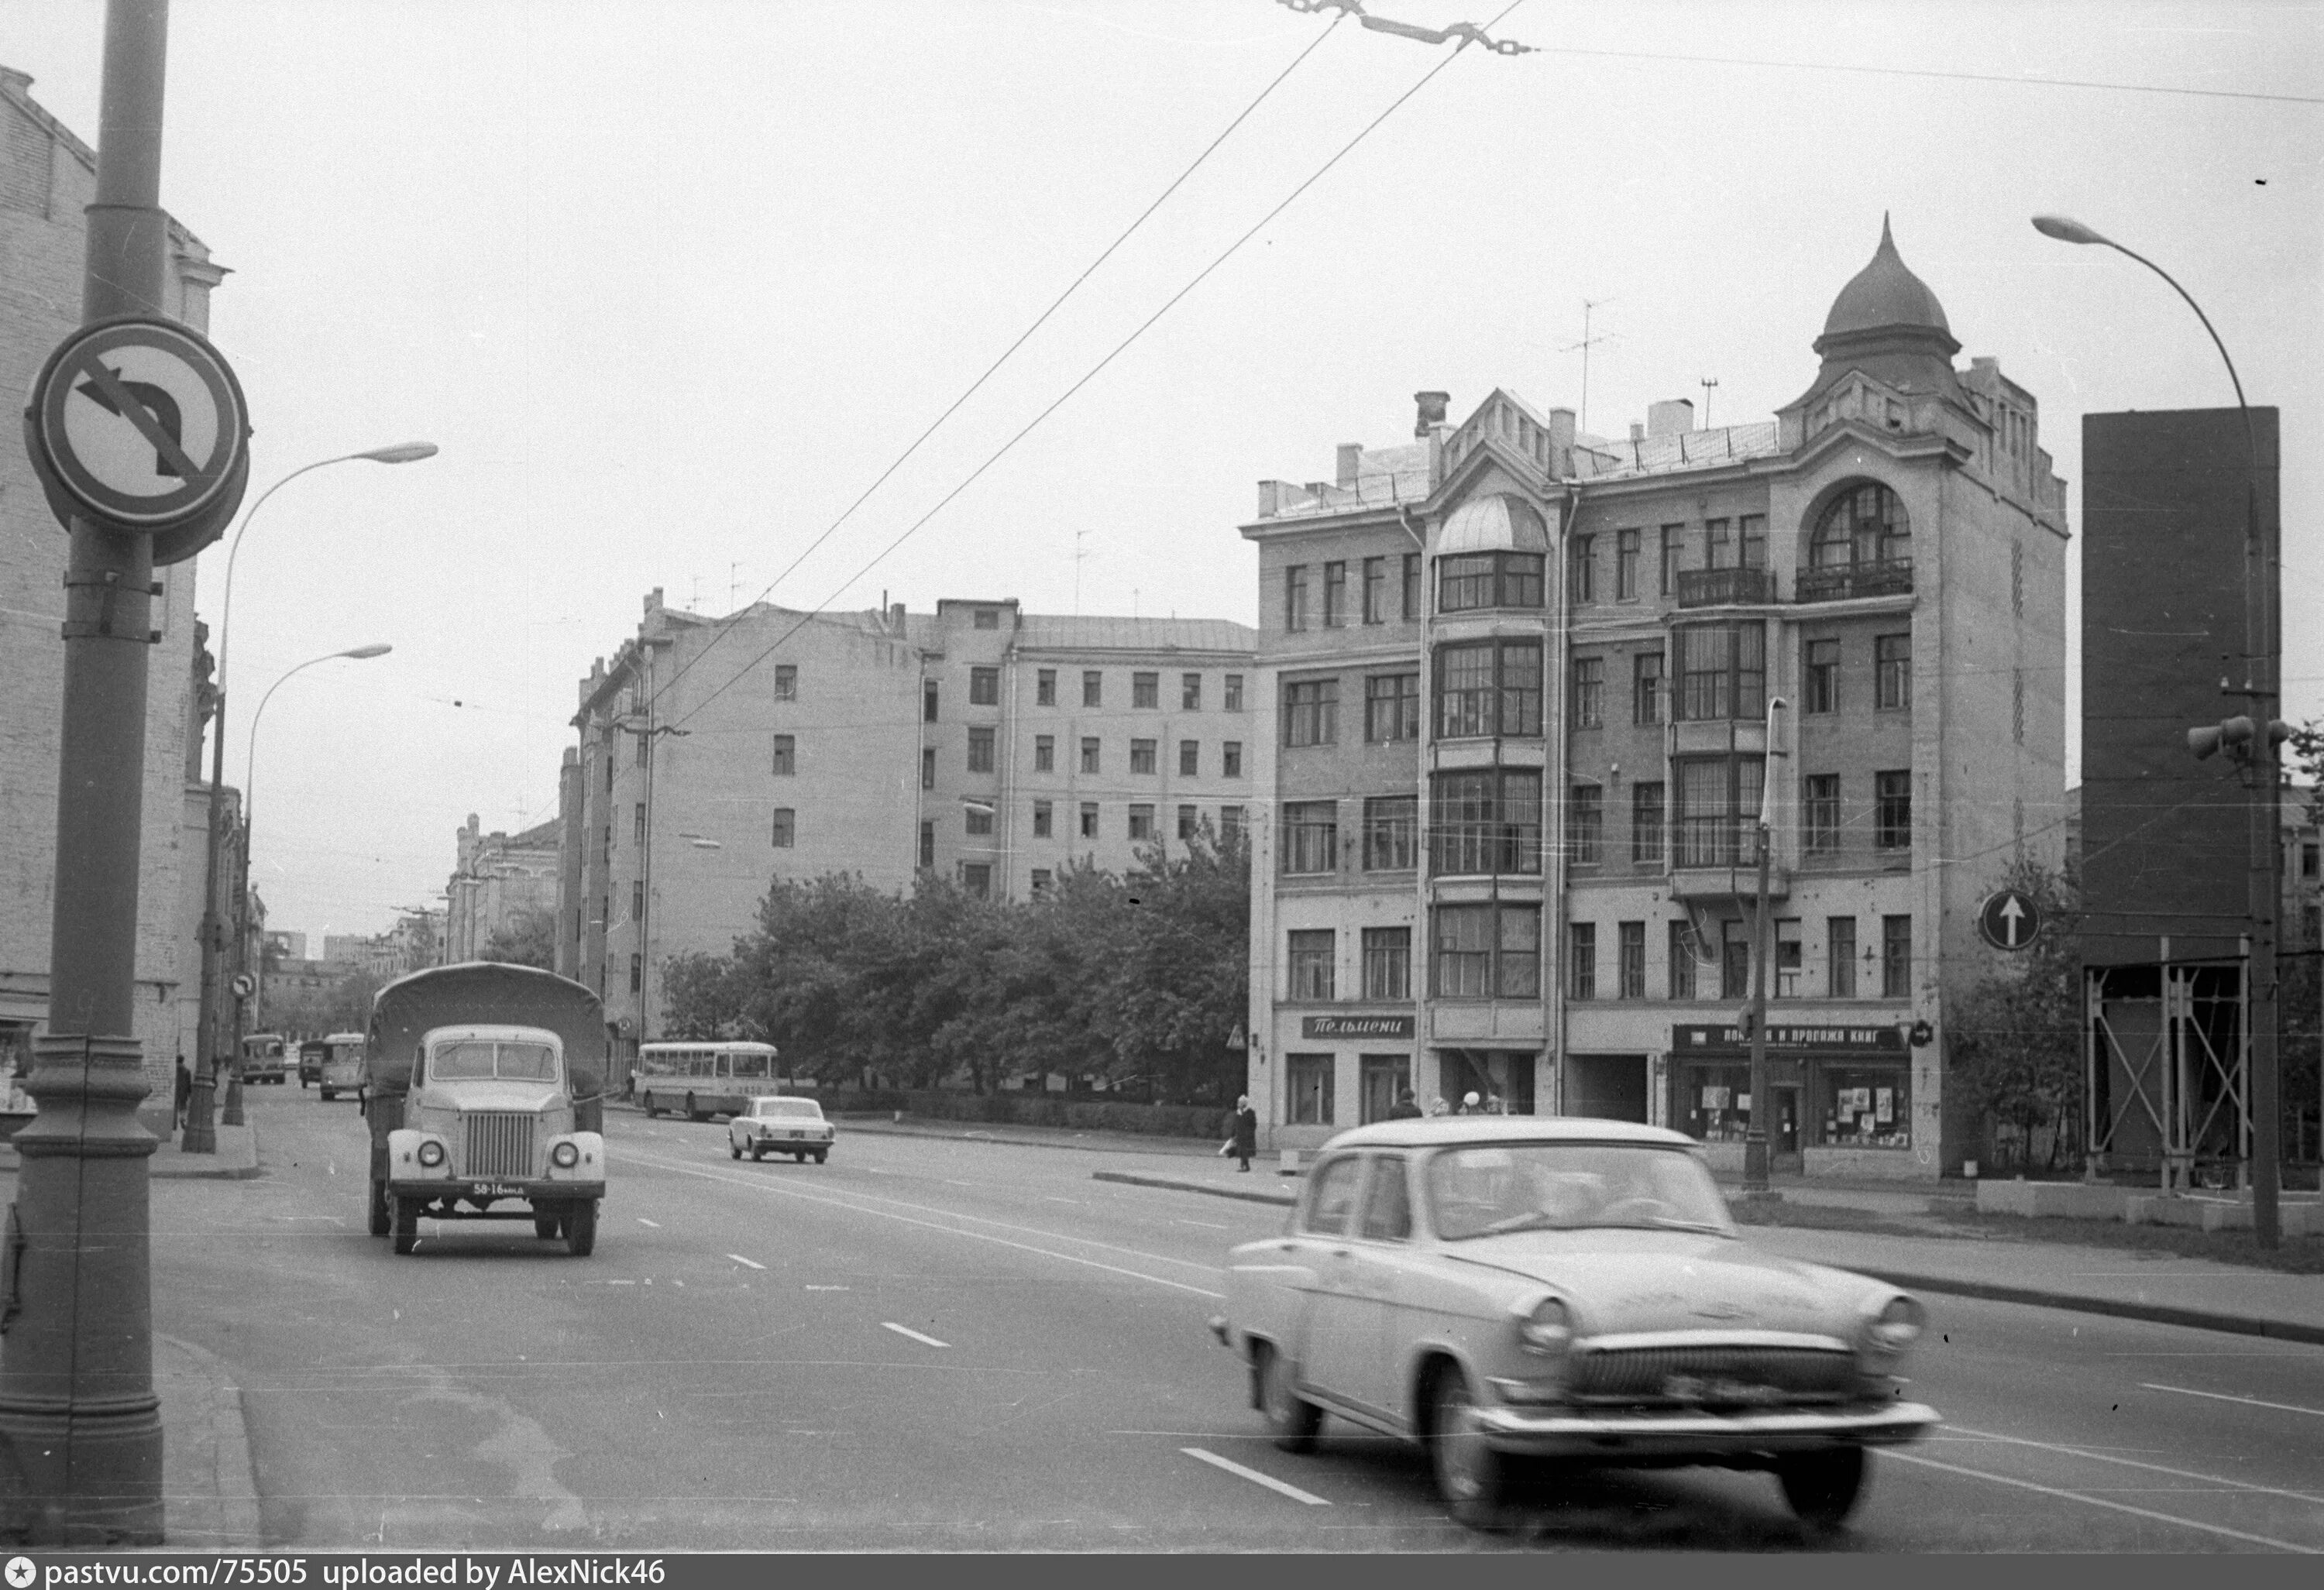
x=489, y=1133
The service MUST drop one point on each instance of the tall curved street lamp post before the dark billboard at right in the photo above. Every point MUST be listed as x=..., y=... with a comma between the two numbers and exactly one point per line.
x=2260, y=689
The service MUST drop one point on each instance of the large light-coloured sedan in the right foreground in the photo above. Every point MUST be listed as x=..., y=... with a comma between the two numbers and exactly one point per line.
x=1498, y=1289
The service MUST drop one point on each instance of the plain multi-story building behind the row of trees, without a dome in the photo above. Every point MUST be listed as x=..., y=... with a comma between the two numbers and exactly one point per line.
x=975, y=743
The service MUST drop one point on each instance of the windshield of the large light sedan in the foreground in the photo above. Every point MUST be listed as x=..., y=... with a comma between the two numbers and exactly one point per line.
x=1489, y=1189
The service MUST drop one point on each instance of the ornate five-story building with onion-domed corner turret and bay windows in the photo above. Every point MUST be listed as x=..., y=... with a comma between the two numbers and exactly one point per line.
x=1516, y=717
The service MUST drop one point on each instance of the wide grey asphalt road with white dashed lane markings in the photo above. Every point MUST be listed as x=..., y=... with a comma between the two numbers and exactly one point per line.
x=968, y=1347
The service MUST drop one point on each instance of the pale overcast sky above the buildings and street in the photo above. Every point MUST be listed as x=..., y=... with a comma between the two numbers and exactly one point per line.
x=675, y=282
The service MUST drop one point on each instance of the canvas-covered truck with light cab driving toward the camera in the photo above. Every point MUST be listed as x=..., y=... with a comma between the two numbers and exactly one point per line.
x=482, y=1089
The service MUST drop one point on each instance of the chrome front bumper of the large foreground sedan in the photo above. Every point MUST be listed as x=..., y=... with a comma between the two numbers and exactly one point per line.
x=1609, y=1438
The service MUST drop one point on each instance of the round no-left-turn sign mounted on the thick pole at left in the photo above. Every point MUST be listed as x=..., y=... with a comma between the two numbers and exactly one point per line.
x=141, y=424
